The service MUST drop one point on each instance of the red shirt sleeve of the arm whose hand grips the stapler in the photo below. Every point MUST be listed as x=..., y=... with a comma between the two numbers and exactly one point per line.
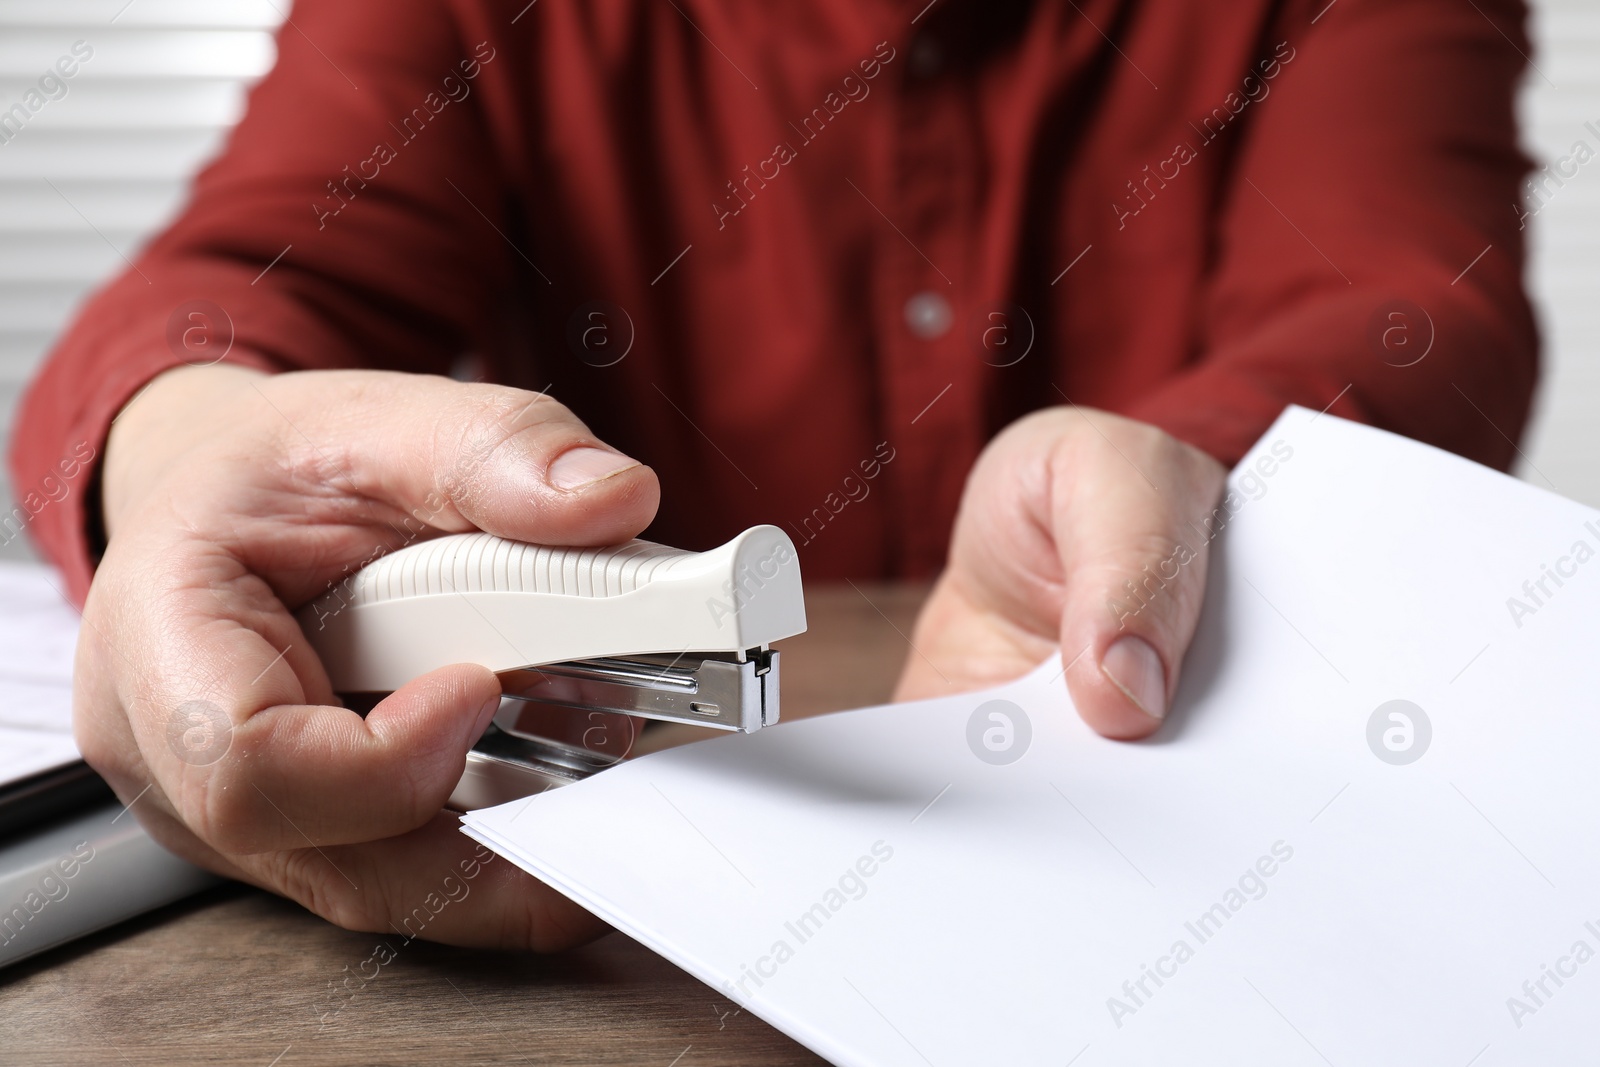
x=337, y=230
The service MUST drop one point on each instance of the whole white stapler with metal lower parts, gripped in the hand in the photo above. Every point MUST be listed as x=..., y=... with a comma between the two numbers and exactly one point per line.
x=585, y=642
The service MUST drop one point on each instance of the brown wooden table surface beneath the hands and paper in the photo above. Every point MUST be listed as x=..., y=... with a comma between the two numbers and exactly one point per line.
x=234, y=977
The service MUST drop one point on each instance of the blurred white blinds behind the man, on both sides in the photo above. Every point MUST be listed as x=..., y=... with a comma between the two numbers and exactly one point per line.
x=94, y=174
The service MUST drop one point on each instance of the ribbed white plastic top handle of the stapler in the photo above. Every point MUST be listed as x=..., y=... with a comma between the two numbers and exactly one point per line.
x=510, y=605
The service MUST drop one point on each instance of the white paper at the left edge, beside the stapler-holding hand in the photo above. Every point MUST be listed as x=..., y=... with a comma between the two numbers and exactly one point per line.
x=39, y=633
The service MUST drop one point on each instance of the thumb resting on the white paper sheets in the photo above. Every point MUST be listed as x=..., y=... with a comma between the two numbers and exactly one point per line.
x=1135, y=567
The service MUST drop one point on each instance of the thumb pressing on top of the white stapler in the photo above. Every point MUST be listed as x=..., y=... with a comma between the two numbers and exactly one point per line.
x=474, y=457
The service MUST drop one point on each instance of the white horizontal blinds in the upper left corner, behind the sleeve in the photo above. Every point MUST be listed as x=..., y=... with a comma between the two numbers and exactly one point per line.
x=94, y=164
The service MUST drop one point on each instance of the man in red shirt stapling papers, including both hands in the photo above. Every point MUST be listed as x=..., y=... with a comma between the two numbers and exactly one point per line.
x=815, y=265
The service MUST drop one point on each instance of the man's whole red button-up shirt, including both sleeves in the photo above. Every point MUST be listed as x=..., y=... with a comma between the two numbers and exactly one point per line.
x=807, y=258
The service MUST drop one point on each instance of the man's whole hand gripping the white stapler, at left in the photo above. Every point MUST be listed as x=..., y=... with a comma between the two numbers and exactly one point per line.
x=233, y=498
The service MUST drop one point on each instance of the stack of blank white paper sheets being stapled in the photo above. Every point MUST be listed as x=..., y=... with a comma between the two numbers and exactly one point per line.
x=1366, y=834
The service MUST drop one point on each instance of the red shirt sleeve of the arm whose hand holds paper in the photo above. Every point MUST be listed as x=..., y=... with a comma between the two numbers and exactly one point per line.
x=1370, y=242
